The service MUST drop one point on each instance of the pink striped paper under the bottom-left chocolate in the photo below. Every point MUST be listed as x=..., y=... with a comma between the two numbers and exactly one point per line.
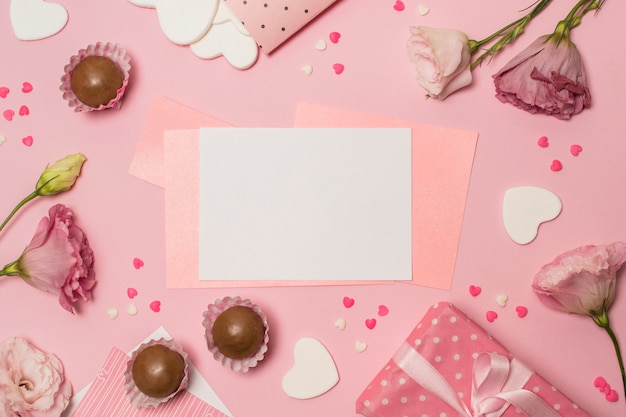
x=106, y=397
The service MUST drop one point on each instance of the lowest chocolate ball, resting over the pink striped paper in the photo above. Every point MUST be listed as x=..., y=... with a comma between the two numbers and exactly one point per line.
x=158, y=371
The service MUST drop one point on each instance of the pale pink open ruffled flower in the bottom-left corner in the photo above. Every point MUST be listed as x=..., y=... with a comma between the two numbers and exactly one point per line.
x=31, y=381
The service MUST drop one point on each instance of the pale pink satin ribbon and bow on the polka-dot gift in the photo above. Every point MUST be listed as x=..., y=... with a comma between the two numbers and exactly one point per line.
x=496, y=384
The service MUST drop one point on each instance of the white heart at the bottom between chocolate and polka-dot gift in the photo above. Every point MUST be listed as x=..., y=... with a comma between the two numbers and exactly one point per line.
x=314, y=371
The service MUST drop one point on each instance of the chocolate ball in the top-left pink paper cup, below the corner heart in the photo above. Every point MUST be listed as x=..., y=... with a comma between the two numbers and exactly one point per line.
x=96, y=80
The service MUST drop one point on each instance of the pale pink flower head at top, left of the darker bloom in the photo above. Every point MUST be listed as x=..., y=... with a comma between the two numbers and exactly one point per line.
x=441, y=58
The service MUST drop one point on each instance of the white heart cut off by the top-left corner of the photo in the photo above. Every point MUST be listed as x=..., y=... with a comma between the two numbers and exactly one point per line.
x=36, y=19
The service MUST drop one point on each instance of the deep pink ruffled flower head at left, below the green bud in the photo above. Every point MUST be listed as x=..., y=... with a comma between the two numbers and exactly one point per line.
x=58, y=259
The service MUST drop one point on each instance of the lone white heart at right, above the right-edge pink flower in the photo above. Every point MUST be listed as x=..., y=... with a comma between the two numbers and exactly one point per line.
x=525, y=208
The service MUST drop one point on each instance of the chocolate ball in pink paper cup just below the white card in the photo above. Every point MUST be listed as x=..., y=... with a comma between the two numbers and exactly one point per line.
x=238, y=332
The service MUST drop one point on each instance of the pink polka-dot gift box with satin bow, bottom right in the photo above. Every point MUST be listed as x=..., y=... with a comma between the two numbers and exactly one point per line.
x=449, y=366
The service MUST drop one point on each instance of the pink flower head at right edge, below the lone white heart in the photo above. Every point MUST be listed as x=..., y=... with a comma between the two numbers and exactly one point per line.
x=581, y=281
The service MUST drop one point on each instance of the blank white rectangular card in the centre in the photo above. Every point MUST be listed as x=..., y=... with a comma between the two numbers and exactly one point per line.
x=305, y=204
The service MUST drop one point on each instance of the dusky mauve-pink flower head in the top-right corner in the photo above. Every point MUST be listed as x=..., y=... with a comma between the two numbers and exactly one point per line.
x=547, y=77
